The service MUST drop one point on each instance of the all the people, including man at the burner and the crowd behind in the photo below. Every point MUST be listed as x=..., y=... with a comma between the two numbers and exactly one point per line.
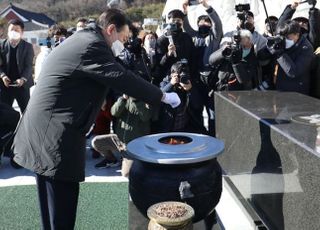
x=145, y=82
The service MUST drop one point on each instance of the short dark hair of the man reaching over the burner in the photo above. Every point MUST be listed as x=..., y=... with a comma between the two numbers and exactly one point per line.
x=112, y=16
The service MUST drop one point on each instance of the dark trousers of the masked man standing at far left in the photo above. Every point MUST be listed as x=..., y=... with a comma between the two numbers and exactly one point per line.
x=22, y=95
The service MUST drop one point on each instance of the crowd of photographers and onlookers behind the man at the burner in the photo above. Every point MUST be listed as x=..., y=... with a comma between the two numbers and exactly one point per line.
x=192, y=63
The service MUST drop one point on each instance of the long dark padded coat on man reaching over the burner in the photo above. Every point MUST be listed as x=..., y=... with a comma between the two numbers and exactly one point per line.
x=75, y=79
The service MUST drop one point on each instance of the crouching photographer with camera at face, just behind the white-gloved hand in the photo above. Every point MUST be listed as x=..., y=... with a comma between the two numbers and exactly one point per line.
x=176, y=119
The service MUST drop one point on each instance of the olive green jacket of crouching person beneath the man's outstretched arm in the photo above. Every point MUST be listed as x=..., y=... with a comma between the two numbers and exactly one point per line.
x=133, y=119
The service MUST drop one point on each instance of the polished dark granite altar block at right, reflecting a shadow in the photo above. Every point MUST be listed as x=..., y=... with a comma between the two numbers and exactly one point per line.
x=271, y=160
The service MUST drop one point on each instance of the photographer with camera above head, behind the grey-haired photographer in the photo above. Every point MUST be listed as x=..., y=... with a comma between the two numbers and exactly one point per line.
x=246, y=21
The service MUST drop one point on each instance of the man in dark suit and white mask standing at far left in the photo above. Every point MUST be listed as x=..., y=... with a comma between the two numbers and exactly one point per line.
x=16, y=69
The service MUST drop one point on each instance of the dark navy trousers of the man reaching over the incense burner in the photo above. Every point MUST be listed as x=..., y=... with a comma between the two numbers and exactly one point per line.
x=58, y=203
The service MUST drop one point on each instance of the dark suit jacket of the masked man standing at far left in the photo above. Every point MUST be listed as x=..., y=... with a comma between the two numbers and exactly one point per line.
x=25, y=57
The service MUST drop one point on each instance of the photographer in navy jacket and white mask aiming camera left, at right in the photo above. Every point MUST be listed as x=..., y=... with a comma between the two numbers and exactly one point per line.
x=293, y=54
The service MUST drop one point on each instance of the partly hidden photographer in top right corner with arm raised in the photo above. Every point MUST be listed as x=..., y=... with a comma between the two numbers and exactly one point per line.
x=309, y=28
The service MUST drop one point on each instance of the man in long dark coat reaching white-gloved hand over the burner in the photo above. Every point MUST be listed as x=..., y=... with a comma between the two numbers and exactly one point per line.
x=75, y=79
